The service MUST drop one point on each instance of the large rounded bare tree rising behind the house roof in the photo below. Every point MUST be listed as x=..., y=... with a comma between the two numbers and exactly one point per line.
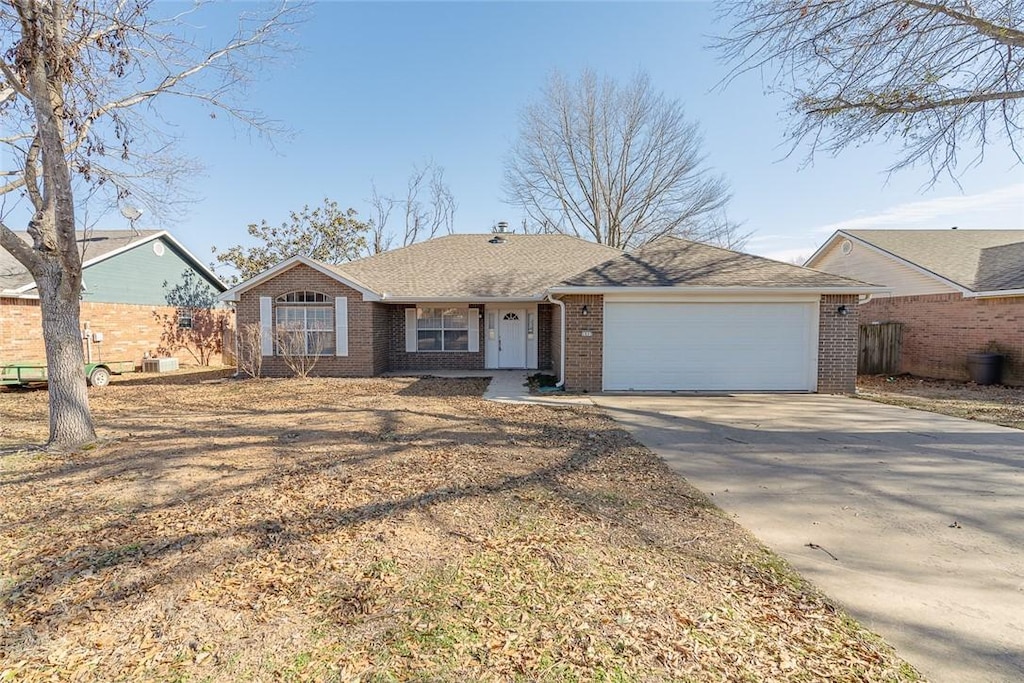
x=620, y=165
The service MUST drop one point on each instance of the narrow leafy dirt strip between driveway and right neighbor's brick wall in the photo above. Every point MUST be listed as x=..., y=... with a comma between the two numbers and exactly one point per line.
x=996, y=404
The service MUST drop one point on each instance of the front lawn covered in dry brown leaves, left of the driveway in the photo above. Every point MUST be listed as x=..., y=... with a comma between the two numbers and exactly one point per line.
x=385, y=531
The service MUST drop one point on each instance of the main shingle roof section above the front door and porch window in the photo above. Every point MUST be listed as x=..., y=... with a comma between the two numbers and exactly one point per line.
x=470, y=266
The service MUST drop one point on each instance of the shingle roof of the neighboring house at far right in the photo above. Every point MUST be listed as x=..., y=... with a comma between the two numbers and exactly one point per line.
x=978, y=261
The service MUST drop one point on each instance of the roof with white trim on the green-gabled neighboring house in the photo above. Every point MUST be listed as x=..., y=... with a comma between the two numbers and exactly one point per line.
x=95, y=246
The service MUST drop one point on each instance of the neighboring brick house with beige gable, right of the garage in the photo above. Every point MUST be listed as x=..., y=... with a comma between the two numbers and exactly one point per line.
x=954, y=291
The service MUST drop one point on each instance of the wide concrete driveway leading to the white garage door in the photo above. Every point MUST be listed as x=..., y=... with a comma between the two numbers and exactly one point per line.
x=924, y=513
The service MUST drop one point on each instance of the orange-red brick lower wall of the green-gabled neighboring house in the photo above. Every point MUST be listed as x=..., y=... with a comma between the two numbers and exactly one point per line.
x=130, y=331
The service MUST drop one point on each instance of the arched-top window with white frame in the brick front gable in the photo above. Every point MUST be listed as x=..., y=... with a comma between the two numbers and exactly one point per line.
x=305, y=324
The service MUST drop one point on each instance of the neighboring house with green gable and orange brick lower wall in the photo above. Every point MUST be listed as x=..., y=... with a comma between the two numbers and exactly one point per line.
x=123, y=288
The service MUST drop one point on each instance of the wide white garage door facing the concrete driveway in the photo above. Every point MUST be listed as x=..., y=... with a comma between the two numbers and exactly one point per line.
x=711, y=347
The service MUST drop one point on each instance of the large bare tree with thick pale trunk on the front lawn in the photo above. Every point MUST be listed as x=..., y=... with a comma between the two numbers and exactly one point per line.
x=74, y=76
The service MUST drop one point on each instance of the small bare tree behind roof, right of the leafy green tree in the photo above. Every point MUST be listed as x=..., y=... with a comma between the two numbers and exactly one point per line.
x=423, y=218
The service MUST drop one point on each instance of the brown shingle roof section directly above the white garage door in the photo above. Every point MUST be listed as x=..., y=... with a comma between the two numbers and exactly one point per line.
x=675, y=263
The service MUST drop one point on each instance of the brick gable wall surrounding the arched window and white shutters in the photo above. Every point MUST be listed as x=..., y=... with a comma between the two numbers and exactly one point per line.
x=361, y=361
